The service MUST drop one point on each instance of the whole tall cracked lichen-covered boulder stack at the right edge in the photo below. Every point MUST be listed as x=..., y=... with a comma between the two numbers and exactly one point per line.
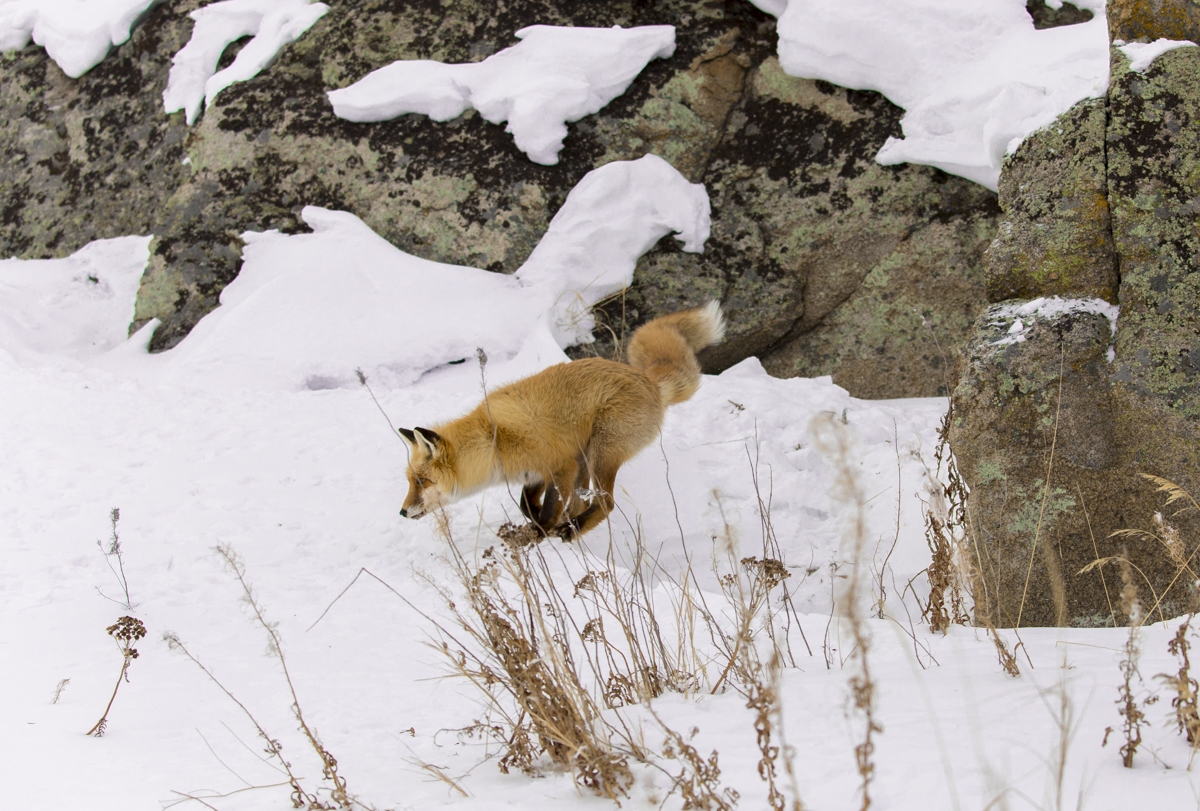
x=1057, y=432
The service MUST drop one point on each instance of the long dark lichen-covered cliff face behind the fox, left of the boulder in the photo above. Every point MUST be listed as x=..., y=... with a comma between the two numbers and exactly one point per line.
x=826, y=262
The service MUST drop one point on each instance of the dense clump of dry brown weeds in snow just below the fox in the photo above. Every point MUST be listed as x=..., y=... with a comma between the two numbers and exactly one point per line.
x=548, y=676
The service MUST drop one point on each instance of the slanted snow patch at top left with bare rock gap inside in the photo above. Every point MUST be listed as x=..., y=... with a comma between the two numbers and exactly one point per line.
x=195, y=80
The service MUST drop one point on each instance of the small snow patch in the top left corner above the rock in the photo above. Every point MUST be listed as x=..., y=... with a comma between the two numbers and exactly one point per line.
x=77, y=34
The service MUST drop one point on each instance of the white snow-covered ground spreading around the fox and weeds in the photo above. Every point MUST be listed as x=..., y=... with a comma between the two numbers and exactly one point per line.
x=256, y=435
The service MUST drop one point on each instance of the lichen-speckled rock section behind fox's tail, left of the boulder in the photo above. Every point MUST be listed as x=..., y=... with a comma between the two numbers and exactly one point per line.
x=827, y=262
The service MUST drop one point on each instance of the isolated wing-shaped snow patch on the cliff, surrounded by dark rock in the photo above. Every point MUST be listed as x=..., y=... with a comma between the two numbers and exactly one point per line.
x=553, y=77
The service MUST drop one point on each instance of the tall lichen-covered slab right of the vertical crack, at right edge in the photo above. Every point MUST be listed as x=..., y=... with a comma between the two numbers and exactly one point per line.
x=1154, y=146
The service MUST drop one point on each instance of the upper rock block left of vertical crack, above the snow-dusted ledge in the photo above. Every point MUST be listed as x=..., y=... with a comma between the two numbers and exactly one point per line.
x=1057, y=236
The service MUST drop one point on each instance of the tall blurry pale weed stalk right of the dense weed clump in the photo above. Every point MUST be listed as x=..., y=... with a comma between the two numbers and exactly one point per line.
x=833, y=441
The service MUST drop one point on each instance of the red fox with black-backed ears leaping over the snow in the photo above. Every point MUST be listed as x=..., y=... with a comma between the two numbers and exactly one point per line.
x=565, y=432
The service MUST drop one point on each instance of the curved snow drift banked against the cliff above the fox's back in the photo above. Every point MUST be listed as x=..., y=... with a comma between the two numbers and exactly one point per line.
x=308, y=310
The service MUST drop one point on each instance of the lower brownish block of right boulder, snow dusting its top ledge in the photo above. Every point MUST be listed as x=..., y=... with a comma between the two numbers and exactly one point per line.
x=1052, y=453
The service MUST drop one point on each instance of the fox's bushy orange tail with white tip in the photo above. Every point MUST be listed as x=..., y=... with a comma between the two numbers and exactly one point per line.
x=667, y=350
